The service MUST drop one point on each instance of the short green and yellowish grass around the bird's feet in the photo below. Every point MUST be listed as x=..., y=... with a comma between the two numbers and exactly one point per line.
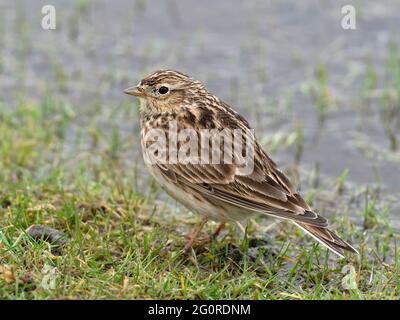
x=124, y=242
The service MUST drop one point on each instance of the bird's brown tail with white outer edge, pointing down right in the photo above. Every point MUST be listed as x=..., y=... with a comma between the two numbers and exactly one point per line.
x=328, y=238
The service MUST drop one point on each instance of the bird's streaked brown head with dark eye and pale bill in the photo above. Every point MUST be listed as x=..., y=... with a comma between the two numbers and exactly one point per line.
x=164, y=90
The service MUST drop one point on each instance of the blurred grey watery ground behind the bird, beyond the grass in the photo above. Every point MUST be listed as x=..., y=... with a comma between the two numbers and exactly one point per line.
x=288, y=66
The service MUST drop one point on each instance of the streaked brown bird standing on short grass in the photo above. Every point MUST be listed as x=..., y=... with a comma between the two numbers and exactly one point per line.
x=222, y=191
